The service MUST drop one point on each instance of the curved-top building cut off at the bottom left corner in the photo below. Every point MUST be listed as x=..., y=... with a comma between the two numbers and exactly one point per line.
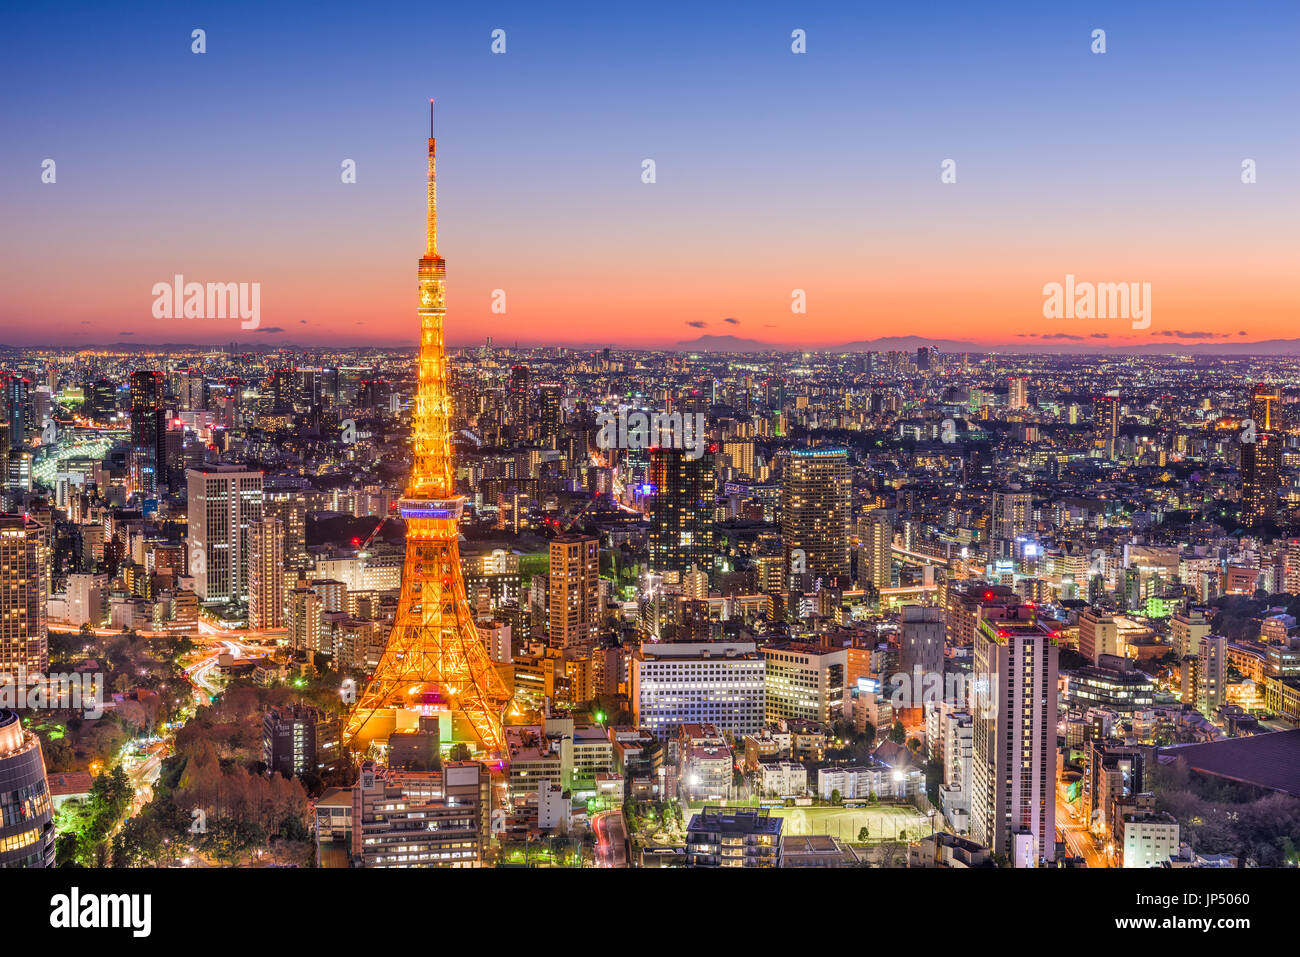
x=27, y=812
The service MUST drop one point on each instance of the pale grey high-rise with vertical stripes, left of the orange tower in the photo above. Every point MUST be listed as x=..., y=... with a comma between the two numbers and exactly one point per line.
x=224, y=506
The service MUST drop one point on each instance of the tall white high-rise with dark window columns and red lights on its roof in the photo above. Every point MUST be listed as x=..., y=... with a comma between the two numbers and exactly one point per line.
x=1013, y=774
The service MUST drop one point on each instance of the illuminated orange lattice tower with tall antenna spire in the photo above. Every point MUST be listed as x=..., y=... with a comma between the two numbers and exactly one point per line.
x=435, y=661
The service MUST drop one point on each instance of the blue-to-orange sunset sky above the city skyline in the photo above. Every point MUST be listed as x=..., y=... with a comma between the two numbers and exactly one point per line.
x=774, y=171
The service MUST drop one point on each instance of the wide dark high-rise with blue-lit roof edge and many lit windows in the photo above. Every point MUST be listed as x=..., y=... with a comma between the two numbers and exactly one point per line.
x=817, y=495
